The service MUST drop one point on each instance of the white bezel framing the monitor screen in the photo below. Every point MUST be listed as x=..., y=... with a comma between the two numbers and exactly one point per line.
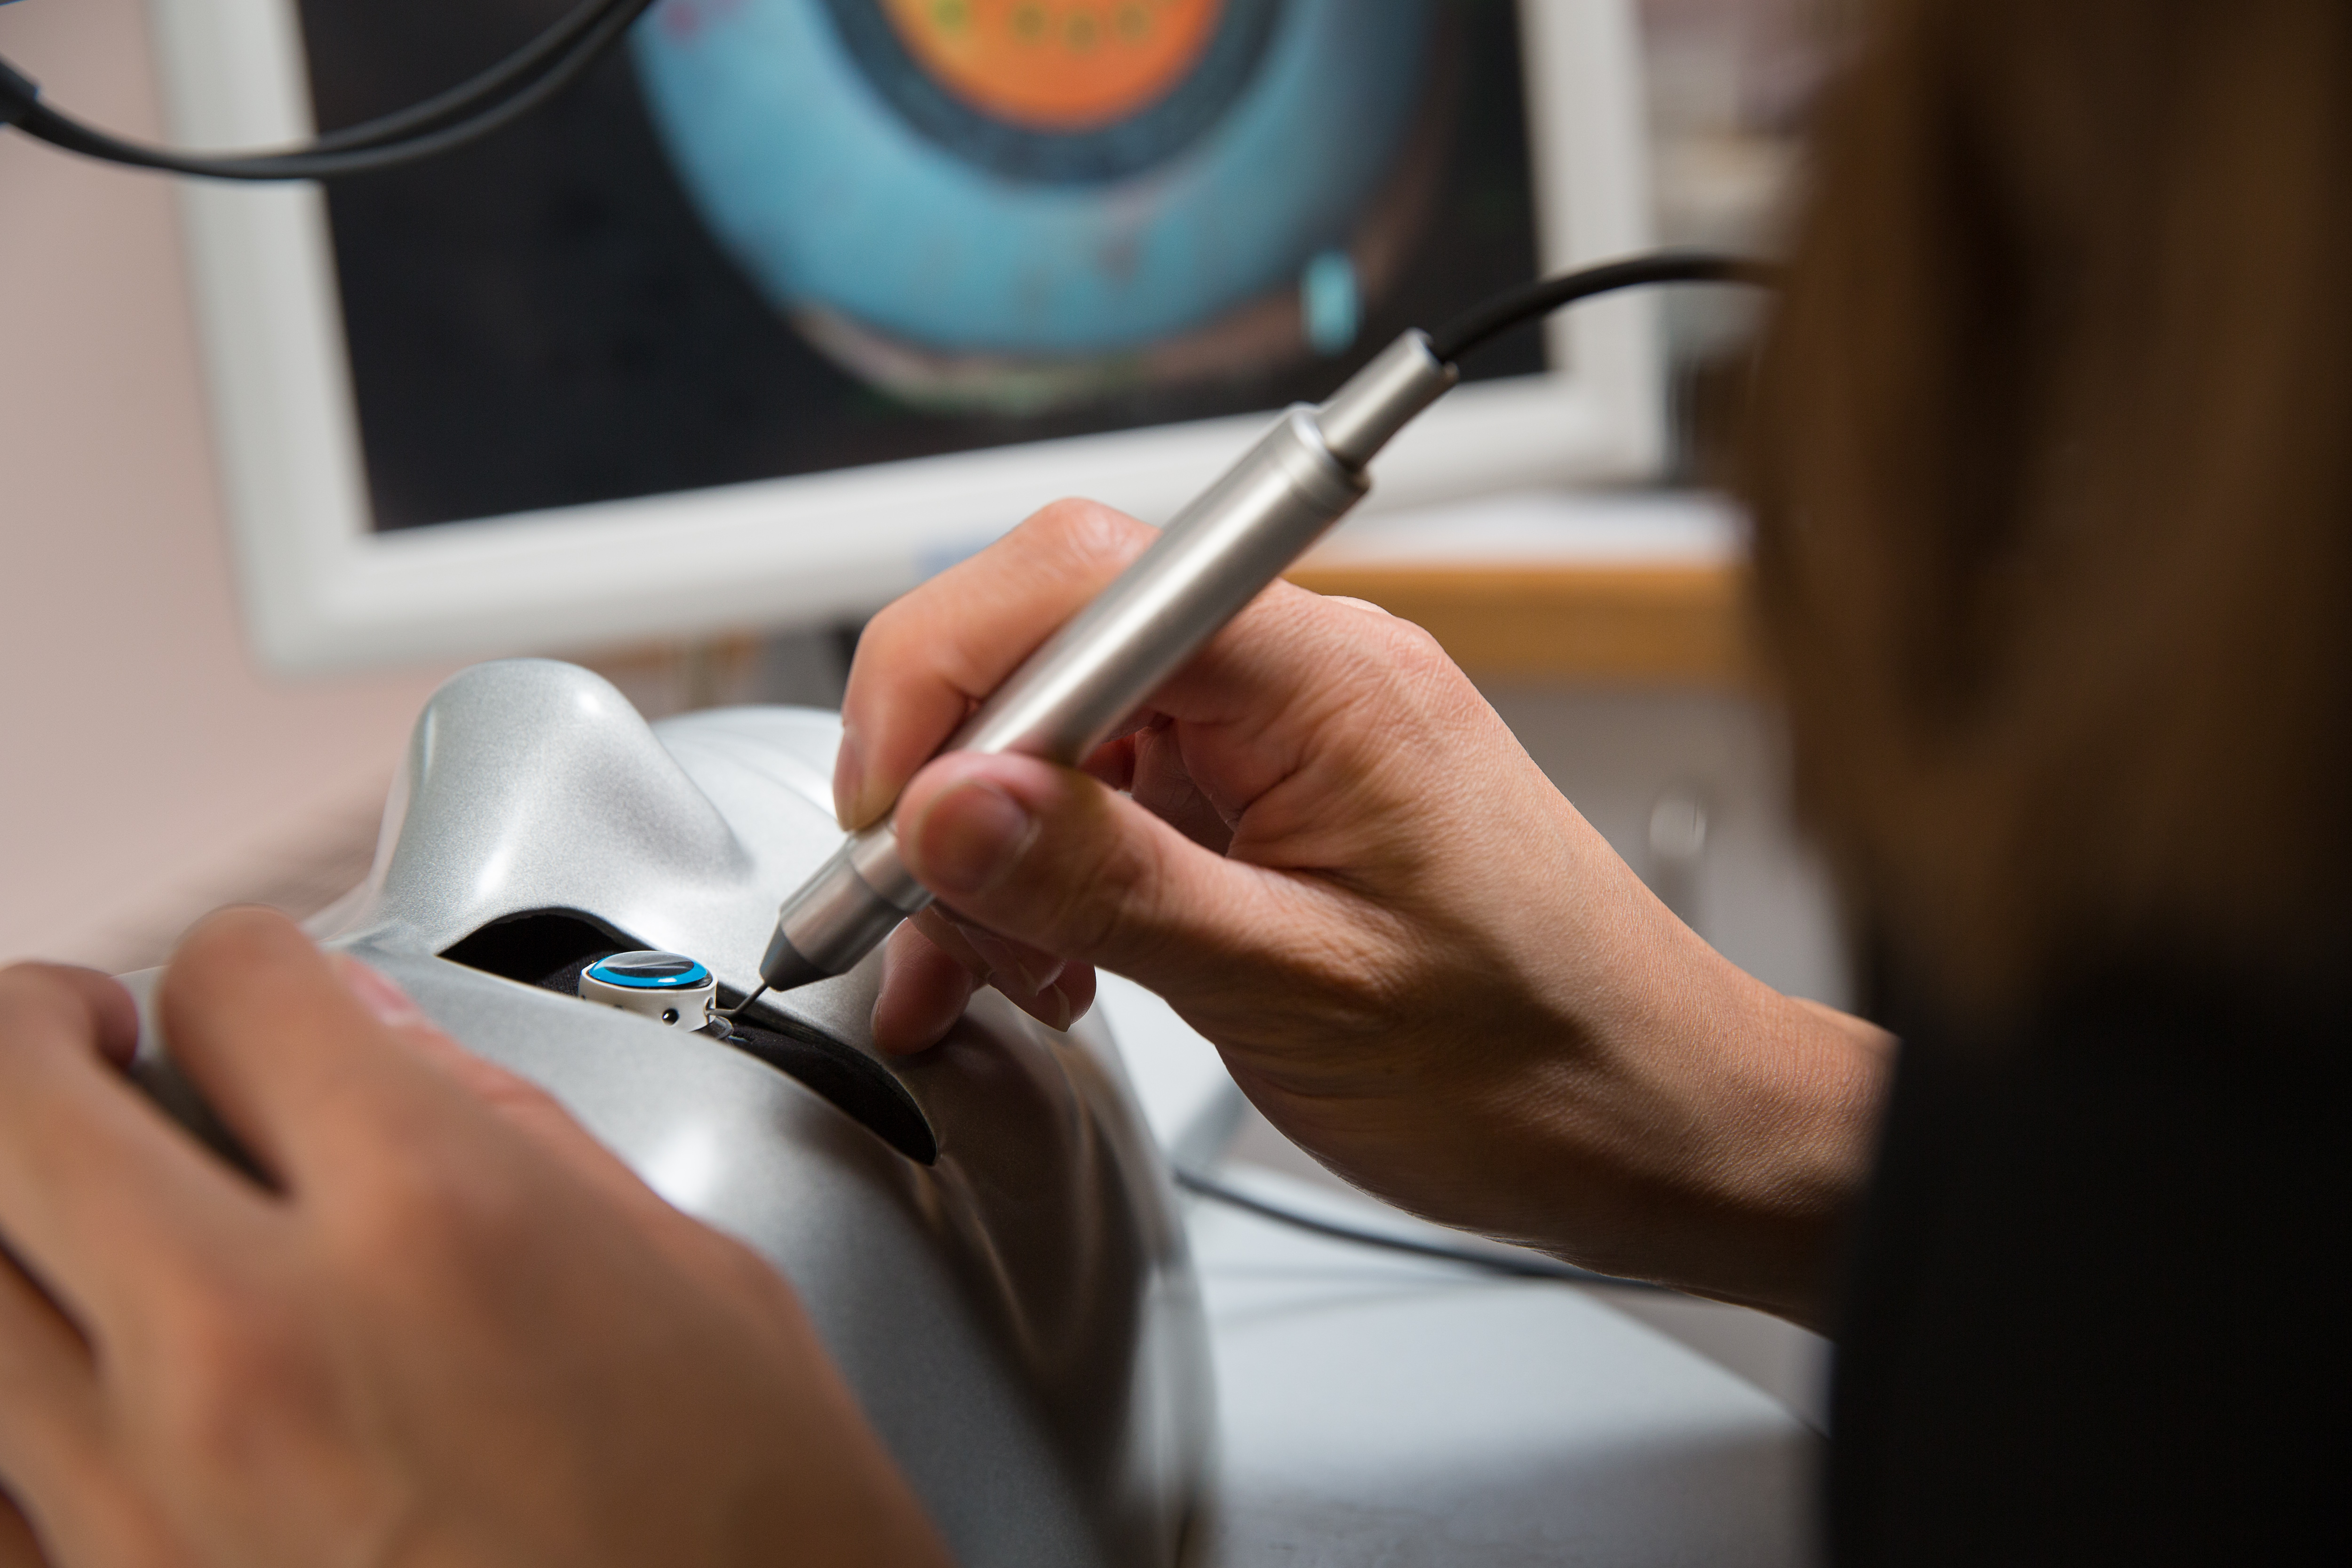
x=323, y=591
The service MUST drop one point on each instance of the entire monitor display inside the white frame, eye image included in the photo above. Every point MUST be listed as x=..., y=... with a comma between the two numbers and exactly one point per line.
x=799, y=236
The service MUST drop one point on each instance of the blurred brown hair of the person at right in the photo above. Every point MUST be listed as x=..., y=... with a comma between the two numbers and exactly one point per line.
x=2052, y=469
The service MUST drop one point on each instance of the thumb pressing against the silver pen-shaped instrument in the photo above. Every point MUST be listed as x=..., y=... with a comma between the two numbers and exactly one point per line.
x=1055, y=859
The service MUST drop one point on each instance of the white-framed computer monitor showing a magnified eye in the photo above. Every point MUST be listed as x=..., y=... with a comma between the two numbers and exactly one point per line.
x=796, y=302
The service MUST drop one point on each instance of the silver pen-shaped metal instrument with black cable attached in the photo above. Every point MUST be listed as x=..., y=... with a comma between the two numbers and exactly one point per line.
x=1212, y=561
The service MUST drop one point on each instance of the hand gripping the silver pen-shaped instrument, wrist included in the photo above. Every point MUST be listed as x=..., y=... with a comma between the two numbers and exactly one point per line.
x=1330, y=855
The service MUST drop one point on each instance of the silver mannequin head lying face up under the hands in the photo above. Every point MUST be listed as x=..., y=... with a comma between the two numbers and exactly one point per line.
x=984, y=1235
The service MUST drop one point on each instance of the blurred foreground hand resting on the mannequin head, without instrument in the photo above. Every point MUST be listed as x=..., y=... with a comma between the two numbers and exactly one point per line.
x=453, y=1329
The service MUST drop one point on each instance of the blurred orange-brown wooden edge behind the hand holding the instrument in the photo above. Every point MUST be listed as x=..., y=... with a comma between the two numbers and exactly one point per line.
x=1655, y=626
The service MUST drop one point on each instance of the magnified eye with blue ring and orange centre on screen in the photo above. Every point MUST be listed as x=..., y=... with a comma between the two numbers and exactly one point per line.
x=1027, y=203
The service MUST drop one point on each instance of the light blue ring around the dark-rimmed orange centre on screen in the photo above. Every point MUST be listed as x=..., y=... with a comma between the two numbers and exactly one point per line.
x=831, y=199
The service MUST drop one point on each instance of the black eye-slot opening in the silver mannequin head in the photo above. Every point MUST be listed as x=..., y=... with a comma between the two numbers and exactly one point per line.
x=552, y=949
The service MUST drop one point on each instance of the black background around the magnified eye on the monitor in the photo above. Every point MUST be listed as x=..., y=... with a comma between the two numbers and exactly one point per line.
x=544, y=321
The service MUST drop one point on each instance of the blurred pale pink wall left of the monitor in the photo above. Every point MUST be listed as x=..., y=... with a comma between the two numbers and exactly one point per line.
x=147, y=768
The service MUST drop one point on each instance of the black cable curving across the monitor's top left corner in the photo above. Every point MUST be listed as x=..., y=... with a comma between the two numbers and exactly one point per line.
x=443, y=123
